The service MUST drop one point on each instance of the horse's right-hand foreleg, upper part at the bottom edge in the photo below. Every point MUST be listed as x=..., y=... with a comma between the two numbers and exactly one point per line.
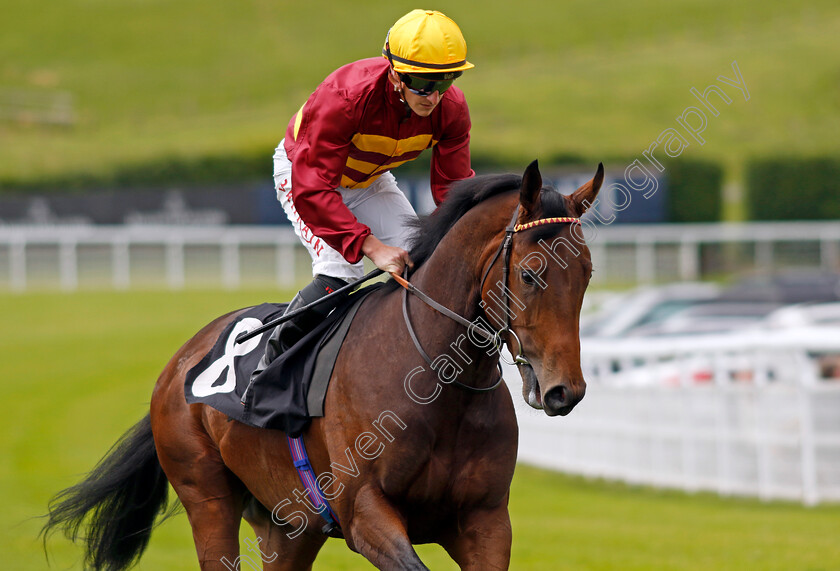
x=483, y=540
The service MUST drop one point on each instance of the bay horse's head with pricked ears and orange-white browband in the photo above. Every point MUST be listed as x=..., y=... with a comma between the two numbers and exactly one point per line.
x=550, y=267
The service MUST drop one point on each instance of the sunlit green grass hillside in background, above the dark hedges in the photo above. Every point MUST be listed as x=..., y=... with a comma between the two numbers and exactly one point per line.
x=189, y=78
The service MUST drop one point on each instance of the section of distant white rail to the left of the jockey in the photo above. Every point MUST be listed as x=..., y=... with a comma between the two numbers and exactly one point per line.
x=53, y=255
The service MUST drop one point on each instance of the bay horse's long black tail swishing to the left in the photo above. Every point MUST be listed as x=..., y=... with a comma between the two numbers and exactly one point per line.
x=123, y=495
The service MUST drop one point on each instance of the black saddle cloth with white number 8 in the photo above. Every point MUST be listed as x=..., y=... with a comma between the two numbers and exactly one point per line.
x=291, y=390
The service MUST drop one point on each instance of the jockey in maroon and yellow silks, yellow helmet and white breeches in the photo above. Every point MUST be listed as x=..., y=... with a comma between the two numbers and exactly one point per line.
x=331, y=170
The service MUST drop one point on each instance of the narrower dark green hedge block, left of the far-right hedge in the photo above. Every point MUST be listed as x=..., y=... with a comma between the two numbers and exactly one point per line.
x=695, y=191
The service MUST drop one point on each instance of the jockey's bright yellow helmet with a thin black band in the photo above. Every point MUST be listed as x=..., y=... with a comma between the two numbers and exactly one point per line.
x=426, y=41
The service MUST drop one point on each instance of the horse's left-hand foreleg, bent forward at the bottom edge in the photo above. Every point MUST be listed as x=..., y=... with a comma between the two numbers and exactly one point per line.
x=377, y=531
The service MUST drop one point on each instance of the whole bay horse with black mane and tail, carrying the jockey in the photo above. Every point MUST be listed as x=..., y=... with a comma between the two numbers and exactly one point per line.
x=403, y=455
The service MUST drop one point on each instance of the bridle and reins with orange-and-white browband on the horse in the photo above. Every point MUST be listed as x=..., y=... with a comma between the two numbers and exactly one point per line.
x=504, y=250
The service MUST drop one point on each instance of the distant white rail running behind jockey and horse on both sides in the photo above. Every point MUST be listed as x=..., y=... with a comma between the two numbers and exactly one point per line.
x=60, y=256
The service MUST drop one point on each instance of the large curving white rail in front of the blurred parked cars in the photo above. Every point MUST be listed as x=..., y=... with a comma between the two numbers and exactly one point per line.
x=763, y=423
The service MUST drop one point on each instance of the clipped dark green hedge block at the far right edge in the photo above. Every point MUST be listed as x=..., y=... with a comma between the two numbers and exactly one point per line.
x=783, y=188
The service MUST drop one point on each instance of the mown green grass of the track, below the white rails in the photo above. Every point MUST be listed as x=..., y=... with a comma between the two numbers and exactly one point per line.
x=78, y=371
